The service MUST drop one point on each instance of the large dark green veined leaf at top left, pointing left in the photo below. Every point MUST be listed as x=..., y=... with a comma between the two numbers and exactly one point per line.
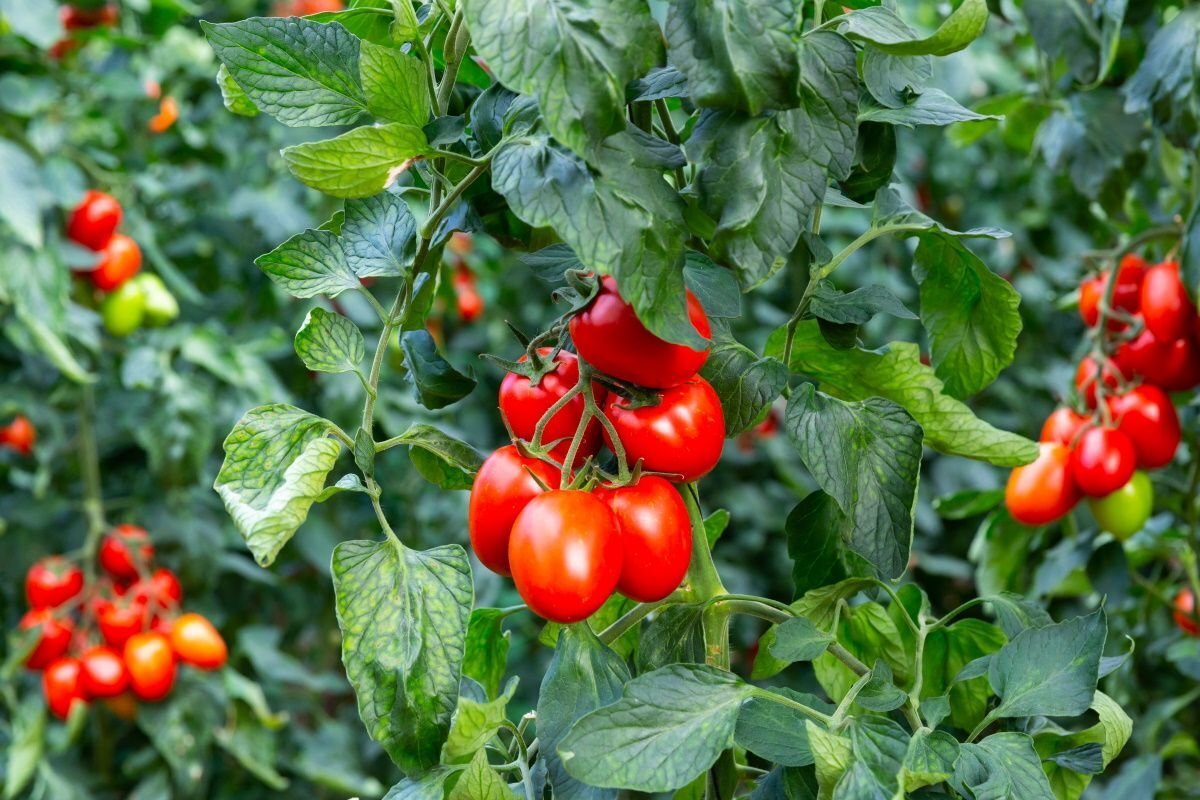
x=301, y=73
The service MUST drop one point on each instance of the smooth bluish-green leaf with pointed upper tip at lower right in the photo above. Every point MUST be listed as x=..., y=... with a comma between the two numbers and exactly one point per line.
x=1049, y=671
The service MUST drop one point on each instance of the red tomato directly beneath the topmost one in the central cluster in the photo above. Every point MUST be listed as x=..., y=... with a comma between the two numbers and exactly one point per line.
x=682, y=436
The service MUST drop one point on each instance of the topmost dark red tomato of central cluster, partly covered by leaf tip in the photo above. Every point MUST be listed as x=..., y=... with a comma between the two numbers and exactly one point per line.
x=610, y=336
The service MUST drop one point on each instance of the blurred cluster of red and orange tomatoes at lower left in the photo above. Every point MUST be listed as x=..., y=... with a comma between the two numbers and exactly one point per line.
x=118, y=639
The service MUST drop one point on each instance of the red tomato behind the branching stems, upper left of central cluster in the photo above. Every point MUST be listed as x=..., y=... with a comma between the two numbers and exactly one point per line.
x=523, y=405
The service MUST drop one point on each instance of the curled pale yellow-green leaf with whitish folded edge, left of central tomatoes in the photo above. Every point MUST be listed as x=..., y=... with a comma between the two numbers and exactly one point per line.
x=277, y=462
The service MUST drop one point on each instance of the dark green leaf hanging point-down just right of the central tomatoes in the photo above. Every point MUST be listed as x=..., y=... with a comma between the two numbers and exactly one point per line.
x=867, y=456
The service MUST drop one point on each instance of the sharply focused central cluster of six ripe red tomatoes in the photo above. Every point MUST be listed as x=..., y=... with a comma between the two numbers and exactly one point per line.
x=571, y=549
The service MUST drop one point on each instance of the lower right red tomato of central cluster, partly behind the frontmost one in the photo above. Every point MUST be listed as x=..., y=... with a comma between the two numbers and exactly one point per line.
x=656, y=538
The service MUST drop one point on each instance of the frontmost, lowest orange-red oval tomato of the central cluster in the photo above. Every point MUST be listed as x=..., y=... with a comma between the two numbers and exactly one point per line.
x=566, y=555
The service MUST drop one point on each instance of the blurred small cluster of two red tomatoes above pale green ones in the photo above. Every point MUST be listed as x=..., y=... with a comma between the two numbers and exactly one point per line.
x=130, y=300
